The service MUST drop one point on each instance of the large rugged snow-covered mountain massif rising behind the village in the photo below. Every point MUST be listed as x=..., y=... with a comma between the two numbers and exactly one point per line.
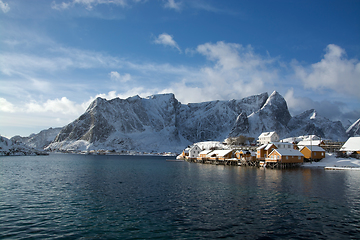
x=161, y=123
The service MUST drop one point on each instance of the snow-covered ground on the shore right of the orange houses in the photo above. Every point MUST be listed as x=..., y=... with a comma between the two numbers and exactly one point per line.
x=331, y=161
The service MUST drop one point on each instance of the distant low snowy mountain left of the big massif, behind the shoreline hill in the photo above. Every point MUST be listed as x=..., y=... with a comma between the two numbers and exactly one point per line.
x=39, y=140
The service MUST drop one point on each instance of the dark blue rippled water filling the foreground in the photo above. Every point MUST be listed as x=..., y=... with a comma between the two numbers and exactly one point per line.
x=136, y=197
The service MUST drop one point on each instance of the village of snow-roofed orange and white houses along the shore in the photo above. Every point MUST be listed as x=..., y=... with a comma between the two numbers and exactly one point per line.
x=271, y=152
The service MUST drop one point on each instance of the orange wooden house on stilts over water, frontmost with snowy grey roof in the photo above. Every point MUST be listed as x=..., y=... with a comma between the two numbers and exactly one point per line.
x=285, y=156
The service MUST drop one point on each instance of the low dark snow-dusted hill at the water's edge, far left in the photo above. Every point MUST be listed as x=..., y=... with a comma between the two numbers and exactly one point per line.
x=12, y=148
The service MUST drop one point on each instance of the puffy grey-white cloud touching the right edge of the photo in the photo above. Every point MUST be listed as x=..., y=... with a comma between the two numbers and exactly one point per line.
x=334, y=72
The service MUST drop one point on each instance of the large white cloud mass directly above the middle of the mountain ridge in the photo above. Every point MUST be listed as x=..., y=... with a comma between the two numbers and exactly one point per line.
x=234, y=72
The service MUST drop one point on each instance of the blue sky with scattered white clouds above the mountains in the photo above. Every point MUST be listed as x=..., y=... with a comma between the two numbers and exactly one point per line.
x=58, y=56
